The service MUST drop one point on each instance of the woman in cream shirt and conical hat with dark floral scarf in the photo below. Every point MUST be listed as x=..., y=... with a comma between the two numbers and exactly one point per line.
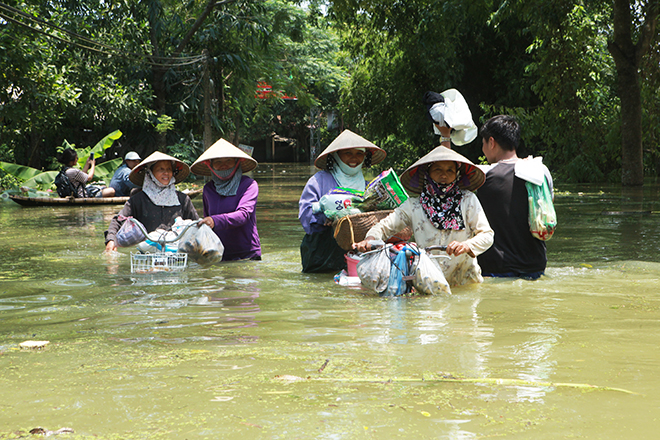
x=445, y=212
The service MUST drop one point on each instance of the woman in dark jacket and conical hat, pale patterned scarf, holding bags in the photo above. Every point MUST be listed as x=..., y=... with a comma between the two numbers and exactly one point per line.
x=158, y=203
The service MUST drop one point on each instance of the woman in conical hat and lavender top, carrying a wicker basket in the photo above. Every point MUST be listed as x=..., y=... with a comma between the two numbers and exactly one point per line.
x=341, y=165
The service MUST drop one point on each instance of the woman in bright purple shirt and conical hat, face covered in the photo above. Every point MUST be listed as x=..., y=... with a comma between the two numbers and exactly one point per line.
x=230, y=199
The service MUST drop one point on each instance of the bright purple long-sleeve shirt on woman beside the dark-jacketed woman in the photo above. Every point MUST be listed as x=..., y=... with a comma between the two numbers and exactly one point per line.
x=235, y=219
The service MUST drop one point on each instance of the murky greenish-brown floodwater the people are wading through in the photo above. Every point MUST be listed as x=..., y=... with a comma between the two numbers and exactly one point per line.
x=259, y=350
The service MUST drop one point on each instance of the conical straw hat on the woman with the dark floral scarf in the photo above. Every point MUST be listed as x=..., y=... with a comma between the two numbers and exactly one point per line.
x=471, y=176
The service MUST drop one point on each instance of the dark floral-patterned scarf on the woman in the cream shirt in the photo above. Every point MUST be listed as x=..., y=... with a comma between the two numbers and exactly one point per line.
x=442, y=203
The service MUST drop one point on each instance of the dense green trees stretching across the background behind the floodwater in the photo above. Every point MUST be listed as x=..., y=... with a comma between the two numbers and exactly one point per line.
x=583, y=77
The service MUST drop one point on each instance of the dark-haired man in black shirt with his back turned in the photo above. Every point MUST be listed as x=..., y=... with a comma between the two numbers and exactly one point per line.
x=515, y=252
